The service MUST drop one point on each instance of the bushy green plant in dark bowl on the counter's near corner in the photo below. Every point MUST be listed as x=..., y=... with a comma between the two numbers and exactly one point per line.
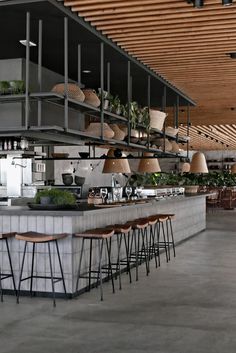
x=57, y=197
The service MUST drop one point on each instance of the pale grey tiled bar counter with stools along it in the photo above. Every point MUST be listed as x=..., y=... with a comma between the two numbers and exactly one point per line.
x=190, y=214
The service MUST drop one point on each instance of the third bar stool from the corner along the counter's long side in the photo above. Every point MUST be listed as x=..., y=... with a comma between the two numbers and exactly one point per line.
x=140, y=253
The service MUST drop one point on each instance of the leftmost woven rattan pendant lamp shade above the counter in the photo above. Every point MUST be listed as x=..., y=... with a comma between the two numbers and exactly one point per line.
x=116, y=165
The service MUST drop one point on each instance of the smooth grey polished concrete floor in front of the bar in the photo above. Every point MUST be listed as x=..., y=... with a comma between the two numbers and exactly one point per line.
x=186, y=306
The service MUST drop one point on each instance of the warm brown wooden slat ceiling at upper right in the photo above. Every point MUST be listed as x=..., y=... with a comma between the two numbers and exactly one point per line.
x=186, y=45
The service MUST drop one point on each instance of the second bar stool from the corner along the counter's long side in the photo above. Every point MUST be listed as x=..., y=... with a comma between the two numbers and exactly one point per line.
x=122, y=232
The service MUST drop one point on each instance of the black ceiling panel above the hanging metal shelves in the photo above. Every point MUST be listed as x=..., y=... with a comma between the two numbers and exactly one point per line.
x=12, y=22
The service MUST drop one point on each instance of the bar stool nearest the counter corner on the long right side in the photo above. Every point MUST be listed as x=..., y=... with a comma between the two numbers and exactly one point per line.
x=100, y=235
